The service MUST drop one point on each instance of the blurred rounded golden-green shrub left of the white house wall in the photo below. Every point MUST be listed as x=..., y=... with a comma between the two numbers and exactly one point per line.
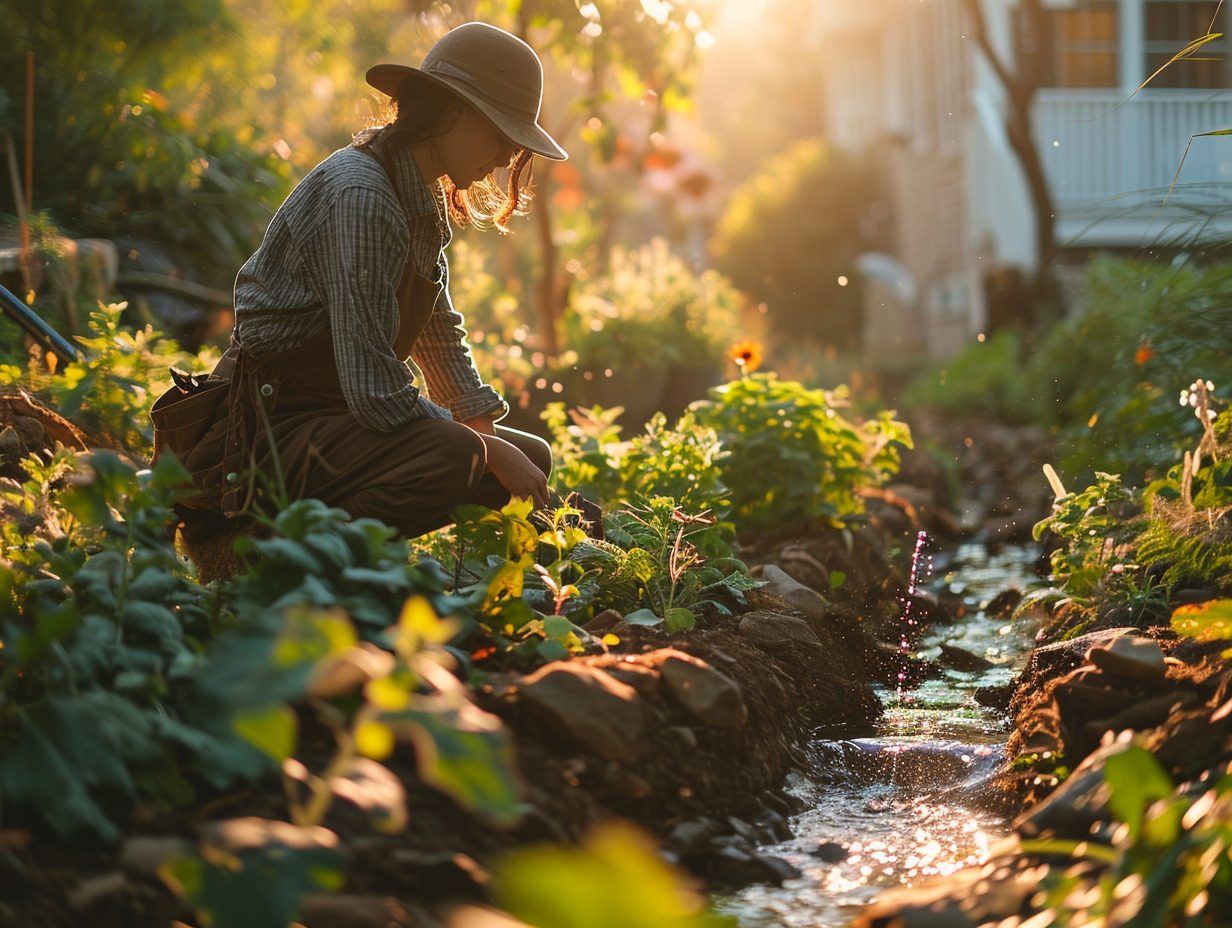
x=792, y=231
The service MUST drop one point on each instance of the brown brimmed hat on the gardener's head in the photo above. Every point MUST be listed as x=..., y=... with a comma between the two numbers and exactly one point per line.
x=492, y=70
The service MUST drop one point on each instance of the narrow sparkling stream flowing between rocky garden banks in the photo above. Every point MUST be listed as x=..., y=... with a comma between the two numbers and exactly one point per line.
x=888, y=810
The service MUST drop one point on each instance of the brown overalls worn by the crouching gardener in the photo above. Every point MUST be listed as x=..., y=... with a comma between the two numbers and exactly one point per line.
x=411, y=479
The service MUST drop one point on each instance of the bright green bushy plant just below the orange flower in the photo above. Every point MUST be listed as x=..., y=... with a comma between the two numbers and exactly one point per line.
x=792, y=455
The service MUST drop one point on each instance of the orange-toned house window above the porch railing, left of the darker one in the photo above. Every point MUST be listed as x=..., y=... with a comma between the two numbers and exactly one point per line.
x=1081, y=49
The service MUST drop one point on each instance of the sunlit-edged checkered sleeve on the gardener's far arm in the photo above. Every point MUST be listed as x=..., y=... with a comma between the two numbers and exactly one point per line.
x=442, y=352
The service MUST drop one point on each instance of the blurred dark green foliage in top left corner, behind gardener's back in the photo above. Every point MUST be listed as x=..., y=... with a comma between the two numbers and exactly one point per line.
x=128, y=142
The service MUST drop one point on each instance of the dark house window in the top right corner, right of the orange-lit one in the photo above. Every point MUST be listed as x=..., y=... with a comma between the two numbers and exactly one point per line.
x=1171, y=26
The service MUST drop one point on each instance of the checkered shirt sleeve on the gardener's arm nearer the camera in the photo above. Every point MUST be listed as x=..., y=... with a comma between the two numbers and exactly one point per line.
x=358, y=254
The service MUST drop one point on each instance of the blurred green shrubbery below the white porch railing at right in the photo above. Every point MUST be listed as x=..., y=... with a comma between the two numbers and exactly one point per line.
x=1106, y=380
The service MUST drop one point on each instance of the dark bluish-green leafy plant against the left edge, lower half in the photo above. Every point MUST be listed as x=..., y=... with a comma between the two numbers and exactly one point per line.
x=100, y=630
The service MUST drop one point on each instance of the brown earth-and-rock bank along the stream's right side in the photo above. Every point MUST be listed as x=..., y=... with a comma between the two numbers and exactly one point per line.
x=1081, y=703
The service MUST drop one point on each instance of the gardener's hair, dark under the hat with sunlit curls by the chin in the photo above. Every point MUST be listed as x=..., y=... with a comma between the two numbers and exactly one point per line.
x=418, y=114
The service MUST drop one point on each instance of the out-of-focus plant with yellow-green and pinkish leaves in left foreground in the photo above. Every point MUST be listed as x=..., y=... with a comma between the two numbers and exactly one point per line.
x=463, y=751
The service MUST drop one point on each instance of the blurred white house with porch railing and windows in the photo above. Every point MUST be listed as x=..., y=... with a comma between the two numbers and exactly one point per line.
x=907, y=79
